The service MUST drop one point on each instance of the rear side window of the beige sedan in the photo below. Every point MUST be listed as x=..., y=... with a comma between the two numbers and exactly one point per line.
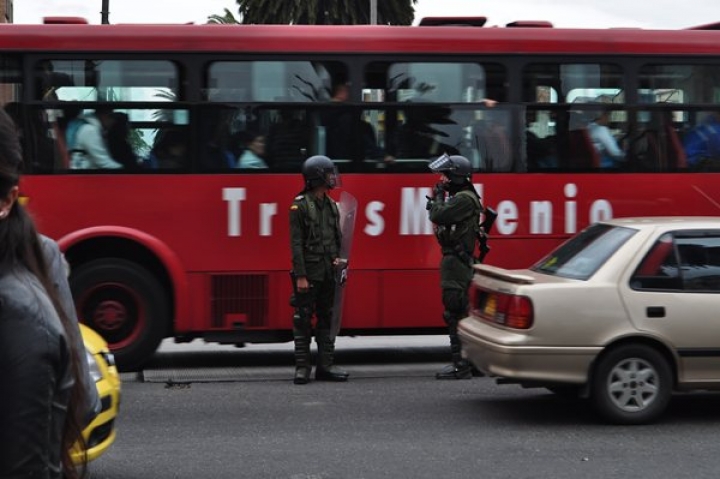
x=688, y=261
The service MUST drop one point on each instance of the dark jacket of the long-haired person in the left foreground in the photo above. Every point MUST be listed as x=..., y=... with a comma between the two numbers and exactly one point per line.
x=35, y=379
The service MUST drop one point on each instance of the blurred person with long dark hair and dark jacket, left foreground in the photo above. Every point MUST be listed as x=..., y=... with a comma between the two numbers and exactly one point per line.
x=42, y=399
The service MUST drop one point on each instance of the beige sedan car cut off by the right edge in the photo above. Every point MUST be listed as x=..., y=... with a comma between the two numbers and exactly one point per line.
x=624, y=313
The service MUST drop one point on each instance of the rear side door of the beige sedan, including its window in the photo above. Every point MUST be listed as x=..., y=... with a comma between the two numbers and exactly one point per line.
x=674, y=294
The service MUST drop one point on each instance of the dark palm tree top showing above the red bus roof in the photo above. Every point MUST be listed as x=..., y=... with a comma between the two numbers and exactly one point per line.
x=319, y=12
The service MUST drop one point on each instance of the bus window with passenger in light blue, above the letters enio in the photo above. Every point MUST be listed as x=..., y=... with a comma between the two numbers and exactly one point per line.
x=569, y=137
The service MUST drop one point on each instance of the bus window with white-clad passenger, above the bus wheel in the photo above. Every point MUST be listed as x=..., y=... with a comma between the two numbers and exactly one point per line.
x=83, y=82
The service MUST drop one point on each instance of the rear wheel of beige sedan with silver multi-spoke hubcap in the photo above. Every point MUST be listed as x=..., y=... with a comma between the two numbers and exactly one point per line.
x=632, y=385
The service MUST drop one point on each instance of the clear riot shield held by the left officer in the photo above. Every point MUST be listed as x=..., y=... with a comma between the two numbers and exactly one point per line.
x=348, y=211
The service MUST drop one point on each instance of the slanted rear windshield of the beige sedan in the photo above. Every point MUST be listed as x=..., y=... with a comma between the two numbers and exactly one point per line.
x=583, y=254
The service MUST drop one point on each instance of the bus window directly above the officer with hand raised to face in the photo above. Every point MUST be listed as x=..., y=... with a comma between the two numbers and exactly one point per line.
x=462, y=125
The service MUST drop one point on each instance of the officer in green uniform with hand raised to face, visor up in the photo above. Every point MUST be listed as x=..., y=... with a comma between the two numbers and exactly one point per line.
x=455, y=211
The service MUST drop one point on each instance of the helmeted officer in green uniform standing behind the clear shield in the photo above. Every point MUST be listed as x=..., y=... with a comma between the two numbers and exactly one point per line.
x=315, y=243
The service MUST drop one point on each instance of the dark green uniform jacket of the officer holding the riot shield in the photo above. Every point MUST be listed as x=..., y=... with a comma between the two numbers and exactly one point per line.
x=314, y=236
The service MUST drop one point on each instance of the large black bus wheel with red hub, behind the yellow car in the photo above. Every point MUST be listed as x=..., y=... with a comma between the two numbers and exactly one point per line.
x=125, y=304
